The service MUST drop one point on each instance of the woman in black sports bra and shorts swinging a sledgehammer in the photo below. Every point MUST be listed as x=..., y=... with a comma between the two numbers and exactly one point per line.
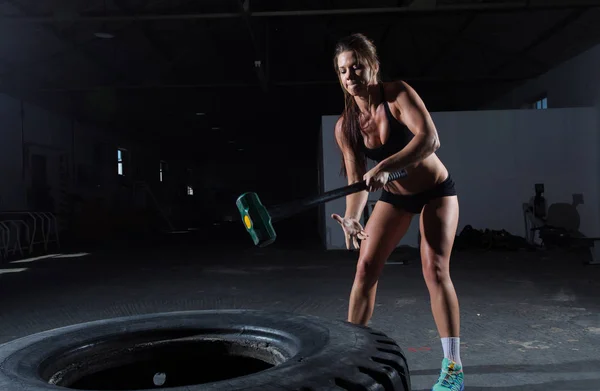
x=388, y=123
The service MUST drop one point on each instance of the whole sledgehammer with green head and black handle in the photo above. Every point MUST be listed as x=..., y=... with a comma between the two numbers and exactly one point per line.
x=259, y=221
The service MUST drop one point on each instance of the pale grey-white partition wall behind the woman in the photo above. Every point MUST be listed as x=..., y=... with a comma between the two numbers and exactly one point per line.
x=495, y=158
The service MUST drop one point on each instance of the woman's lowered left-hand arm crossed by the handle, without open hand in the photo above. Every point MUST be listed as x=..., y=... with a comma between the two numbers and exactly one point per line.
x=355, y=203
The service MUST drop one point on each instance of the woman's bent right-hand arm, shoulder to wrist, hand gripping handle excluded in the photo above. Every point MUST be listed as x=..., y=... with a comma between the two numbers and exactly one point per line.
x=416, y=117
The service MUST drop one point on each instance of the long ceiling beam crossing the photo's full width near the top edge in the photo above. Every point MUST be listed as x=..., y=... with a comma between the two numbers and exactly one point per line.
x=523, y=5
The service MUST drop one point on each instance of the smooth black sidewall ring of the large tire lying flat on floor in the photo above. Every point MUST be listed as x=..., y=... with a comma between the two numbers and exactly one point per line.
x=327, y=349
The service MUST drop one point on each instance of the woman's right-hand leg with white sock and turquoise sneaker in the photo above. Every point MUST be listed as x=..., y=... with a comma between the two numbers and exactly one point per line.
x=438, y=224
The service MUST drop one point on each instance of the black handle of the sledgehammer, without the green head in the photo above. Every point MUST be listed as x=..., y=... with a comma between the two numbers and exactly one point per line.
x=283, y=211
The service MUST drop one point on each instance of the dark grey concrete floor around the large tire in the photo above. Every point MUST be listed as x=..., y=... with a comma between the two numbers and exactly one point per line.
x=530, y=321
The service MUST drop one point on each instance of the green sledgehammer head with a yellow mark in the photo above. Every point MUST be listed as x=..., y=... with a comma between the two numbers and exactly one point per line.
x=256, y=219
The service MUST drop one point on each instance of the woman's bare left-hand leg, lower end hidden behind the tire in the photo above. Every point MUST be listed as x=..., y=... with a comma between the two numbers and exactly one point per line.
x=386, y=226
